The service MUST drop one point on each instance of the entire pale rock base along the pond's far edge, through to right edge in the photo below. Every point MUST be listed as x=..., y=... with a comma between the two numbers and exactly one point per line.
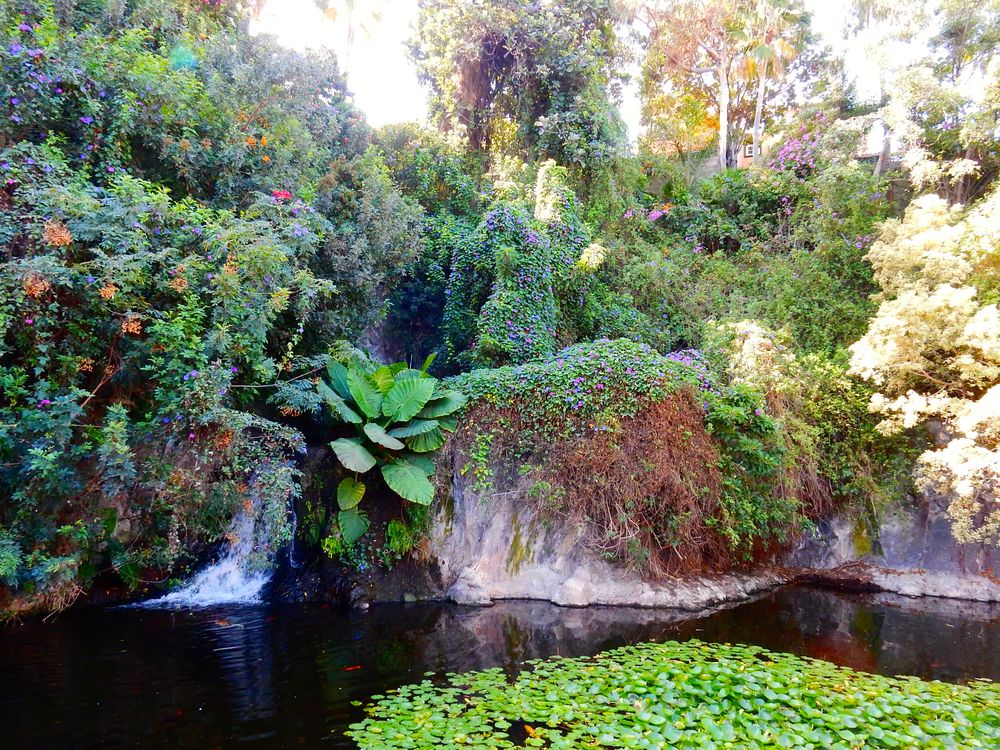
x=494, y=547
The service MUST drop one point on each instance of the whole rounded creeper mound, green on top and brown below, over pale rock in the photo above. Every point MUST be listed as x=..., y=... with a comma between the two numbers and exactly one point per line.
x=671, y=469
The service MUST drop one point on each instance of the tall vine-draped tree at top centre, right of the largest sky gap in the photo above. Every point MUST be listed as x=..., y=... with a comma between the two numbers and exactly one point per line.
x=550, y=70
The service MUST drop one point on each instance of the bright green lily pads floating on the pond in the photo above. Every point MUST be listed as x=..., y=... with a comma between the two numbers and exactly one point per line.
x=682, y=695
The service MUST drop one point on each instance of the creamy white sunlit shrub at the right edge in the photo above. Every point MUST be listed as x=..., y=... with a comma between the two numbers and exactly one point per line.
x=933, y=351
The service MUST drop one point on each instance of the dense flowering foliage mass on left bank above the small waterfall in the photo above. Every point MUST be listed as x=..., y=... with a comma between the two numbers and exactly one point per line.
x=188, y=216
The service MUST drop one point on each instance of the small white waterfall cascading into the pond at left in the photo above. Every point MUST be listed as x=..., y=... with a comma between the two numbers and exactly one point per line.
x=233, y=578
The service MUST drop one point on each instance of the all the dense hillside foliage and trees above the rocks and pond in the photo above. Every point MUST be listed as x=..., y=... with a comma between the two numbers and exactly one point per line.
x=196, y=224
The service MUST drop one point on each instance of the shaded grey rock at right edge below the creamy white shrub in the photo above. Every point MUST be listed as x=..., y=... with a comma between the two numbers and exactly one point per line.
x=914, y=554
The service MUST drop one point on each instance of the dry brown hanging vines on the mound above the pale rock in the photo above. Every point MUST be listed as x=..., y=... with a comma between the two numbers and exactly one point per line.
x=647, y=490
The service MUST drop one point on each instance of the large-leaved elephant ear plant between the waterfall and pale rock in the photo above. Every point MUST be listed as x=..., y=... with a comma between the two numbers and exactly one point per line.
x=401, y=416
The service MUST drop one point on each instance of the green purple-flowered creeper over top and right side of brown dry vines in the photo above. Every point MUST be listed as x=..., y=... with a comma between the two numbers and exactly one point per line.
x=593, y=388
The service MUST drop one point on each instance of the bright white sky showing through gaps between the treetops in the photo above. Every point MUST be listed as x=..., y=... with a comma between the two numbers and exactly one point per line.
x=384, y=81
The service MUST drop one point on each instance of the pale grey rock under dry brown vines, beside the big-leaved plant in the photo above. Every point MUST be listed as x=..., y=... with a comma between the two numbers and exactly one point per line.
x=489, y=548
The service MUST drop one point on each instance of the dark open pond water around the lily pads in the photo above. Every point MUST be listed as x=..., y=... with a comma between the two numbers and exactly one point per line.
x=284, y=677
